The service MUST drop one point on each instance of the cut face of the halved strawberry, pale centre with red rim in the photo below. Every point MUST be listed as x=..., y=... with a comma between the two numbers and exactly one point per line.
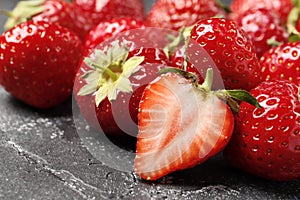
x=179, y=127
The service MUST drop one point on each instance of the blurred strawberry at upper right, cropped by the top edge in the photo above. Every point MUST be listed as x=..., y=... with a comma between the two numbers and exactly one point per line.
x=279, y=7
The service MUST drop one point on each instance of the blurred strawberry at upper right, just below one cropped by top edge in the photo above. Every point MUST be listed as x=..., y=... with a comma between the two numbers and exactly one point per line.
x=262, y=25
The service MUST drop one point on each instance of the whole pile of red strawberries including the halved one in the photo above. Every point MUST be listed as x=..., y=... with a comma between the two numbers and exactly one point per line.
x=188, y=80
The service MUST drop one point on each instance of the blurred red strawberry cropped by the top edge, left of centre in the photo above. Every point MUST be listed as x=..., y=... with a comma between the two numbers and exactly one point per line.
x=89, y=13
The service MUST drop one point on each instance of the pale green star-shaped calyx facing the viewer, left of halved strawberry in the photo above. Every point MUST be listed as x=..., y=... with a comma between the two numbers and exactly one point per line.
x=110, y=73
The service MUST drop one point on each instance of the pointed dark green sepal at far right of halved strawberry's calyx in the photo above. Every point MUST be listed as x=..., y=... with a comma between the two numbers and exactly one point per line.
x=243, y=95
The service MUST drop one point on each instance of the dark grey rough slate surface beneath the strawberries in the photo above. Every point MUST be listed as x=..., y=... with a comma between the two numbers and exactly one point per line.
x=42, y=157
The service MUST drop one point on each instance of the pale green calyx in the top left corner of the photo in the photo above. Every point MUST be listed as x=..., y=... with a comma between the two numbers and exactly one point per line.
x=23, y=12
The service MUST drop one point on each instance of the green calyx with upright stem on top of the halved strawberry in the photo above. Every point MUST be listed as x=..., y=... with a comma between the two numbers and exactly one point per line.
x=229, y=96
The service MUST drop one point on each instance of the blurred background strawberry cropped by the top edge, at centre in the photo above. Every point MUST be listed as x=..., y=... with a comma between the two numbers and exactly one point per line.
x=175, y=14
